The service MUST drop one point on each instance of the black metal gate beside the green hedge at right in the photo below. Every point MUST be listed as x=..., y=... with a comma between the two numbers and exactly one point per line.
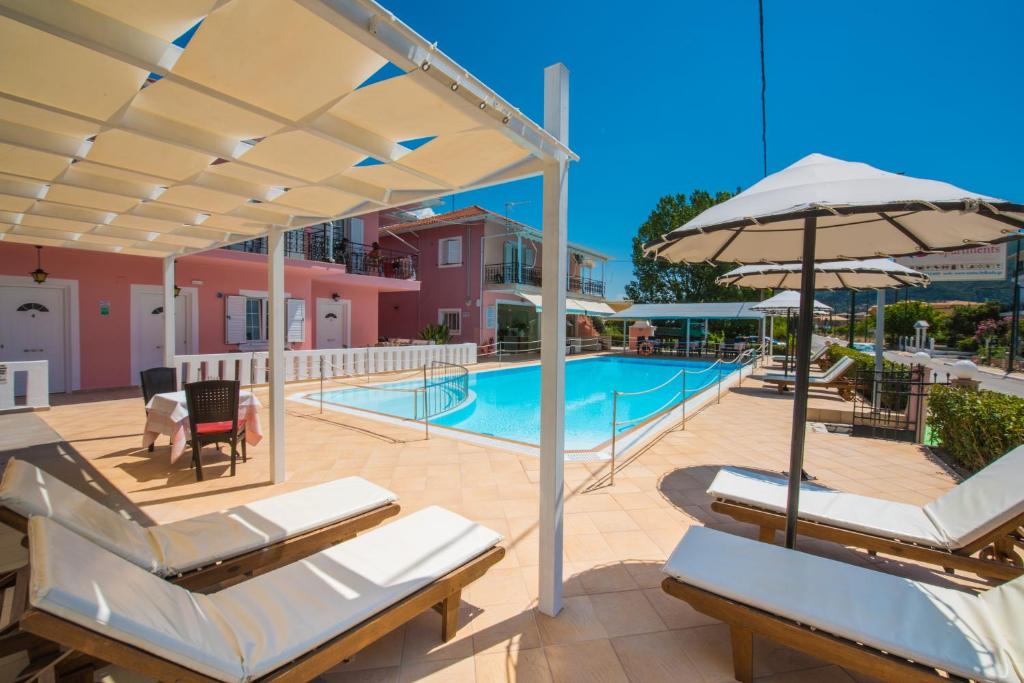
x=893, y=404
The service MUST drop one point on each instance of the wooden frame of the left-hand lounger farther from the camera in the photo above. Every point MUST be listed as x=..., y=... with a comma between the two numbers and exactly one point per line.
x=262, y=560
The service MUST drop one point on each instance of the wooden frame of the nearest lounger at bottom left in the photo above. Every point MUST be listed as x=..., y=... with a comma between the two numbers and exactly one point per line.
x=444, y=595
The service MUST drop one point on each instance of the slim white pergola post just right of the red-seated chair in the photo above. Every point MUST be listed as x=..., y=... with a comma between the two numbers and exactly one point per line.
x=276, y=357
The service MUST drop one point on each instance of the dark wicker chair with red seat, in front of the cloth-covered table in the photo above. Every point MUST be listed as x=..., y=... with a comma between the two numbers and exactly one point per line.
x=214, y=418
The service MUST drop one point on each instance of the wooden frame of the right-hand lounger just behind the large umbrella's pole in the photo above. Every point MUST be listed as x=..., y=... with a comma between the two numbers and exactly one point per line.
x=999, y=561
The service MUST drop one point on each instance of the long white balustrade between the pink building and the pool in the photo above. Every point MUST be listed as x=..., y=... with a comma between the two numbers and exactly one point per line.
x=252, y=368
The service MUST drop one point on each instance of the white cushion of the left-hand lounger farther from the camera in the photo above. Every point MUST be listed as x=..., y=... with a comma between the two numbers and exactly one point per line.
x=172, y=549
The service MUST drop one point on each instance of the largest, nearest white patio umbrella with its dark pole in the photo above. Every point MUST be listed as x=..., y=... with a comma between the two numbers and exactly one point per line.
x=825, y=209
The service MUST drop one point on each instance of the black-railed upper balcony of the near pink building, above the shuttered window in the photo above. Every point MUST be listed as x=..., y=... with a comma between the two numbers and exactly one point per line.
x=360, y=260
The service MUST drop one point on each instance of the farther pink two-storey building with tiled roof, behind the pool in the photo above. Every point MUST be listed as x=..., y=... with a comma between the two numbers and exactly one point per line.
x=482, y=278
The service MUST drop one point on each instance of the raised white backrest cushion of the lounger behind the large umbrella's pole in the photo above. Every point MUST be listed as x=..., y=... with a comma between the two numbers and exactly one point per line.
x=983, y=503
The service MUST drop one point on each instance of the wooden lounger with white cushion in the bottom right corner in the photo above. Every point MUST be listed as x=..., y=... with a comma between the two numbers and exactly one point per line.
x=886, y=627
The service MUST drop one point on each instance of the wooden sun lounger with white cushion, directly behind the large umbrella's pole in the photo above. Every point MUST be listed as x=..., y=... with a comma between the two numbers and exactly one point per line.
x=982, y=516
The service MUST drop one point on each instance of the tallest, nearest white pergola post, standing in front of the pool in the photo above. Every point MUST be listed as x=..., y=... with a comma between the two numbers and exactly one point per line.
x=556, y=227
